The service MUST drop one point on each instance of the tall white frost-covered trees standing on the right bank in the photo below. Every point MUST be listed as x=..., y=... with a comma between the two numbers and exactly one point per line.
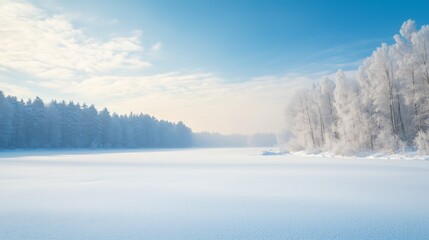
x=382, y=107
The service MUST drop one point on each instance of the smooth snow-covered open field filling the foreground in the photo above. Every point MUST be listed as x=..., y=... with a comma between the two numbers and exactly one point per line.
x=210, y=194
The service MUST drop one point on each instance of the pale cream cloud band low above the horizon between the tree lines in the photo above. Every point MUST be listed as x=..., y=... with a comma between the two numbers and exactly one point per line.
x=202, y=100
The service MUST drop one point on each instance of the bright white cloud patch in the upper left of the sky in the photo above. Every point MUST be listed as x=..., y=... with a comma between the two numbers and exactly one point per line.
x=49, y=46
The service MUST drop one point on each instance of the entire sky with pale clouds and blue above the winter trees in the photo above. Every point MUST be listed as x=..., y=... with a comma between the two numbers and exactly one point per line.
x=219, y=66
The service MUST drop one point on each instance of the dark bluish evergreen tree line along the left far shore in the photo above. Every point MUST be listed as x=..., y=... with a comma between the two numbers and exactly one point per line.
x=34, y=124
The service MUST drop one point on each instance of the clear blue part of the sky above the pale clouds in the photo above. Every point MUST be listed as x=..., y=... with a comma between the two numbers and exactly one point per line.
x=241, y=39
